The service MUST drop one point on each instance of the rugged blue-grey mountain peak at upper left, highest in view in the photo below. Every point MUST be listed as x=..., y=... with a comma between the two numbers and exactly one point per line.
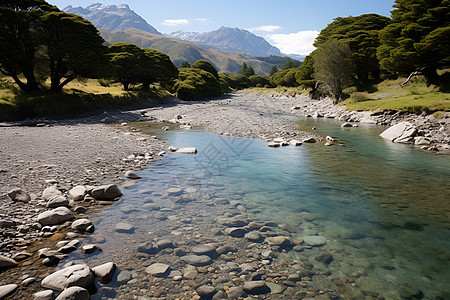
x=112, y=17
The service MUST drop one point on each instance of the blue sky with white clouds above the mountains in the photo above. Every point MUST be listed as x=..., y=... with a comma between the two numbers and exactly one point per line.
x=290, y=25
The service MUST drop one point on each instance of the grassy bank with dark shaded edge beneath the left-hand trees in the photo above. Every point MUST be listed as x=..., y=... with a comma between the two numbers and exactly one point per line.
x=79, y=96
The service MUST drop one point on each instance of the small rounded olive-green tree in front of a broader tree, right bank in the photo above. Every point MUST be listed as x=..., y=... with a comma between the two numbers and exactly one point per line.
x=333, y=66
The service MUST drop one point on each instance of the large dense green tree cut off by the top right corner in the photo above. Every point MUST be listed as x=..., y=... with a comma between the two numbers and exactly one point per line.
x=417, y=39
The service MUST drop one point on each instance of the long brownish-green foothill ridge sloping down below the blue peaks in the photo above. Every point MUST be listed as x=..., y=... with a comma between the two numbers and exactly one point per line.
x=180, y=51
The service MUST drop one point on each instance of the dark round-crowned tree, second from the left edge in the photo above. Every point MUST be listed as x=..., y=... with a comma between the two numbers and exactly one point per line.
x=74, y=47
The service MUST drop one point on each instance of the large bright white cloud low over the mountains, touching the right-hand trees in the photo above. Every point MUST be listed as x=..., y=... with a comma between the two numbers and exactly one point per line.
x=300, y=43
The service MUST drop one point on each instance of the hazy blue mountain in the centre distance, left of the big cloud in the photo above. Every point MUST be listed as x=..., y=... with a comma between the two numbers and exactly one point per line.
x=230, y=39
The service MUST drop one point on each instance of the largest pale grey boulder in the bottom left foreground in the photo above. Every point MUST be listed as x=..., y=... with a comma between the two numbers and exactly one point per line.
x=76, y=275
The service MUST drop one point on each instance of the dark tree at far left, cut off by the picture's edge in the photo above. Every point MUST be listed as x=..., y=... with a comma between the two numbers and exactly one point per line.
x=18, y=39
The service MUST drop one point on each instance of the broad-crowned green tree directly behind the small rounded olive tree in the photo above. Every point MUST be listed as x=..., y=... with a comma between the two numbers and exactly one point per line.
x=361, y=33
